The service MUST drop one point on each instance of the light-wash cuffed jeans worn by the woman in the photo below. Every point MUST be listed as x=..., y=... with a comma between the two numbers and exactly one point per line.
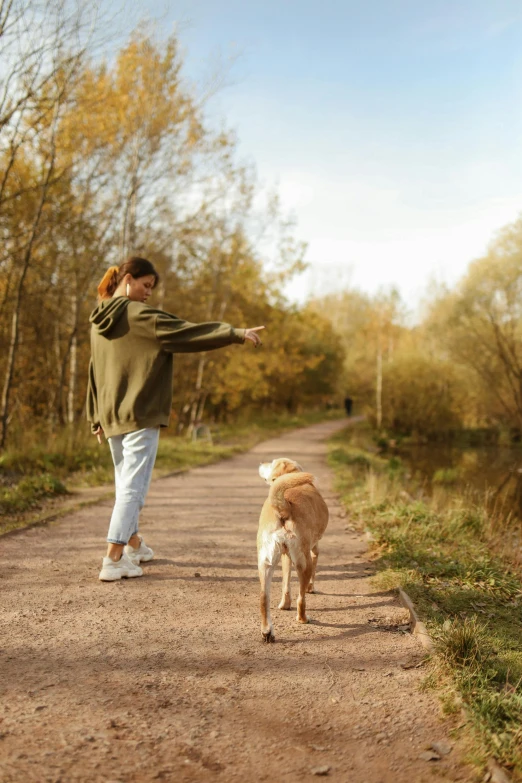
x=133, y=455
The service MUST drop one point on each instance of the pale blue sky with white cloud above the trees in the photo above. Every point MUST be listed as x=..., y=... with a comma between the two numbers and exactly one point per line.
x=392, y=128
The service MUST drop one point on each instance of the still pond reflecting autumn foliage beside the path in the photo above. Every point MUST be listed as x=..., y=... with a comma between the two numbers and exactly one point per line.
x=492, y=473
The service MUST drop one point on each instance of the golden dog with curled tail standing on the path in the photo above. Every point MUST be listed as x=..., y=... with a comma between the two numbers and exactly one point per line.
x=292, y=521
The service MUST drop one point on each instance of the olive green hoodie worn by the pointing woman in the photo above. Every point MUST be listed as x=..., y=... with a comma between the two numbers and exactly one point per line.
x=130, y=373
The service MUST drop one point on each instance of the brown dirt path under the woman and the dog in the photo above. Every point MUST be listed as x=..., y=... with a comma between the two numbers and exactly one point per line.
x=166, y=678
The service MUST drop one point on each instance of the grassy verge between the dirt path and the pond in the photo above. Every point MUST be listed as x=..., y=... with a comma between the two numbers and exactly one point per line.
x=468, y=596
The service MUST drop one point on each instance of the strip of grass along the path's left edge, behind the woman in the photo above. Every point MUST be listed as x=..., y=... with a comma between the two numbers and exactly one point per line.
x=72, y=459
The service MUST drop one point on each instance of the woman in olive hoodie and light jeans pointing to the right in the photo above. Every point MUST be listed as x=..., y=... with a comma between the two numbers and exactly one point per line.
x=129, y=394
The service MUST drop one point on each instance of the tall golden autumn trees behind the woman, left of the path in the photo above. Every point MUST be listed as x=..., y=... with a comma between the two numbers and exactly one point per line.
x=105, y=158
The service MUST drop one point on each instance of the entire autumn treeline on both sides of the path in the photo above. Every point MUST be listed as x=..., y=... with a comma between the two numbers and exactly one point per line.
x=107, y=156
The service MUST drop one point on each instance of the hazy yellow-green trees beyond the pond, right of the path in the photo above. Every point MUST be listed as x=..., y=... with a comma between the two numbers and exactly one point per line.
x=459, y=367
